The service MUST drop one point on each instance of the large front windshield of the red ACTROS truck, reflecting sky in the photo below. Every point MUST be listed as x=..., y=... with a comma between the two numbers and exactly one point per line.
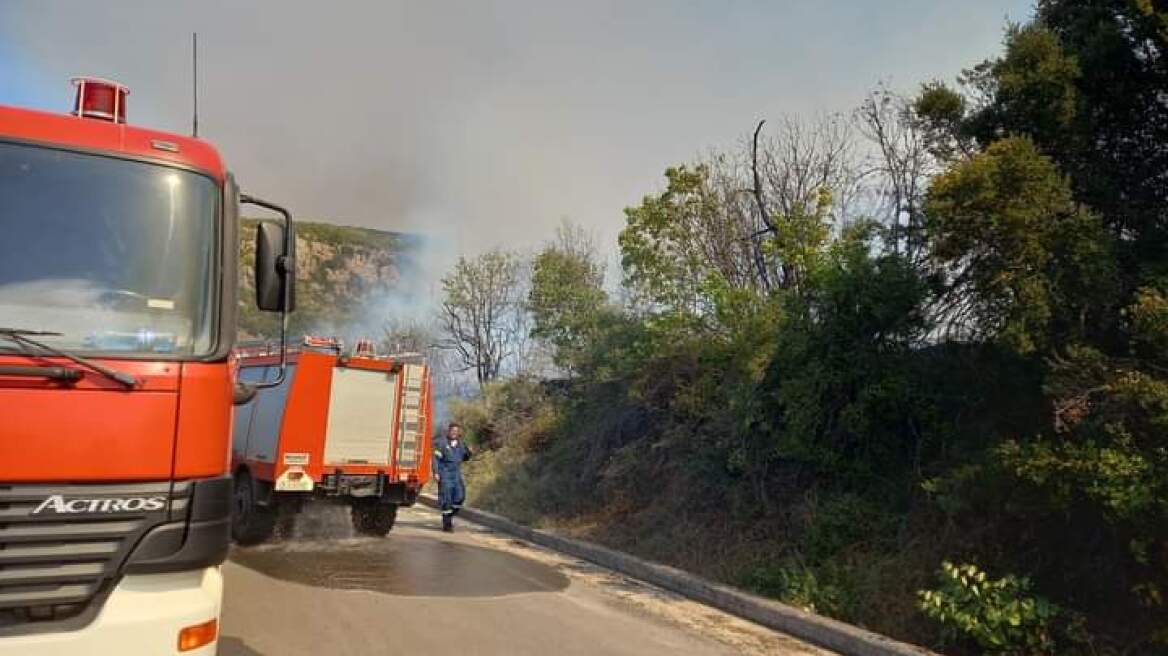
x=115, y=255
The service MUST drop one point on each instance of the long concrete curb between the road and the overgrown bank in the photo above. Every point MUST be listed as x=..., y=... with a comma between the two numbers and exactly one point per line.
x=817, y=630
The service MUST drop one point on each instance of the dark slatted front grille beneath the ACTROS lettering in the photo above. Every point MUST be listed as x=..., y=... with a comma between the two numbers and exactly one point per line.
x=54, y=564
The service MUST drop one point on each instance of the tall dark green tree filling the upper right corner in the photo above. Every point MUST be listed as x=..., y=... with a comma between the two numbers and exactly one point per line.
x=1087, y=82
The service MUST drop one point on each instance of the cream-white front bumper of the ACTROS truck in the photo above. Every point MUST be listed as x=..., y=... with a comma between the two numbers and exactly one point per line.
x=142, y=617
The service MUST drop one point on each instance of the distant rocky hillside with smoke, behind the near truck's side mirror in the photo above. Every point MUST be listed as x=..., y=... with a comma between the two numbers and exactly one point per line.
x=346, y=280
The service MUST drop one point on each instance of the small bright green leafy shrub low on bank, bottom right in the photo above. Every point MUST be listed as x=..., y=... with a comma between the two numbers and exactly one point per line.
x=1002, y=617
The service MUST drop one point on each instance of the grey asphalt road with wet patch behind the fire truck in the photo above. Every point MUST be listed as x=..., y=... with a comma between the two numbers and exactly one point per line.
x=469, y=594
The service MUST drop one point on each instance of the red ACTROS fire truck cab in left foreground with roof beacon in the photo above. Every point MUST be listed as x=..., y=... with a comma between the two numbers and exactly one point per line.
x=119, y=299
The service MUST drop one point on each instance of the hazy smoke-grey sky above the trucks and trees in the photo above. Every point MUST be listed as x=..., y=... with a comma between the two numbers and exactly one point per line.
x=483, y=123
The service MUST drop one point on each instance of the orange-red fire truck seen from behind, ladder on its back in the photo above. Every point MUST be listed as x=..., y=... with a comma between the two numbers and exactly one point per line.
x=351, y=429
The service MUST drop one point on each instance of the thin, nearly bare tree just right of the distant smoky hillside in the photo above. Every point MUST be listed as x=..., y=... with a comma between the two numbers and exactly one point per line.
x=481, y=312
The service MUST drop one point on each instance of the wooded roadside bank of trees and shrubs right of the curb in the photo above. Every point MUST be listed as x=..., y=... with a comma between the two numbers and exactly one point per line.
x=930, y=400
